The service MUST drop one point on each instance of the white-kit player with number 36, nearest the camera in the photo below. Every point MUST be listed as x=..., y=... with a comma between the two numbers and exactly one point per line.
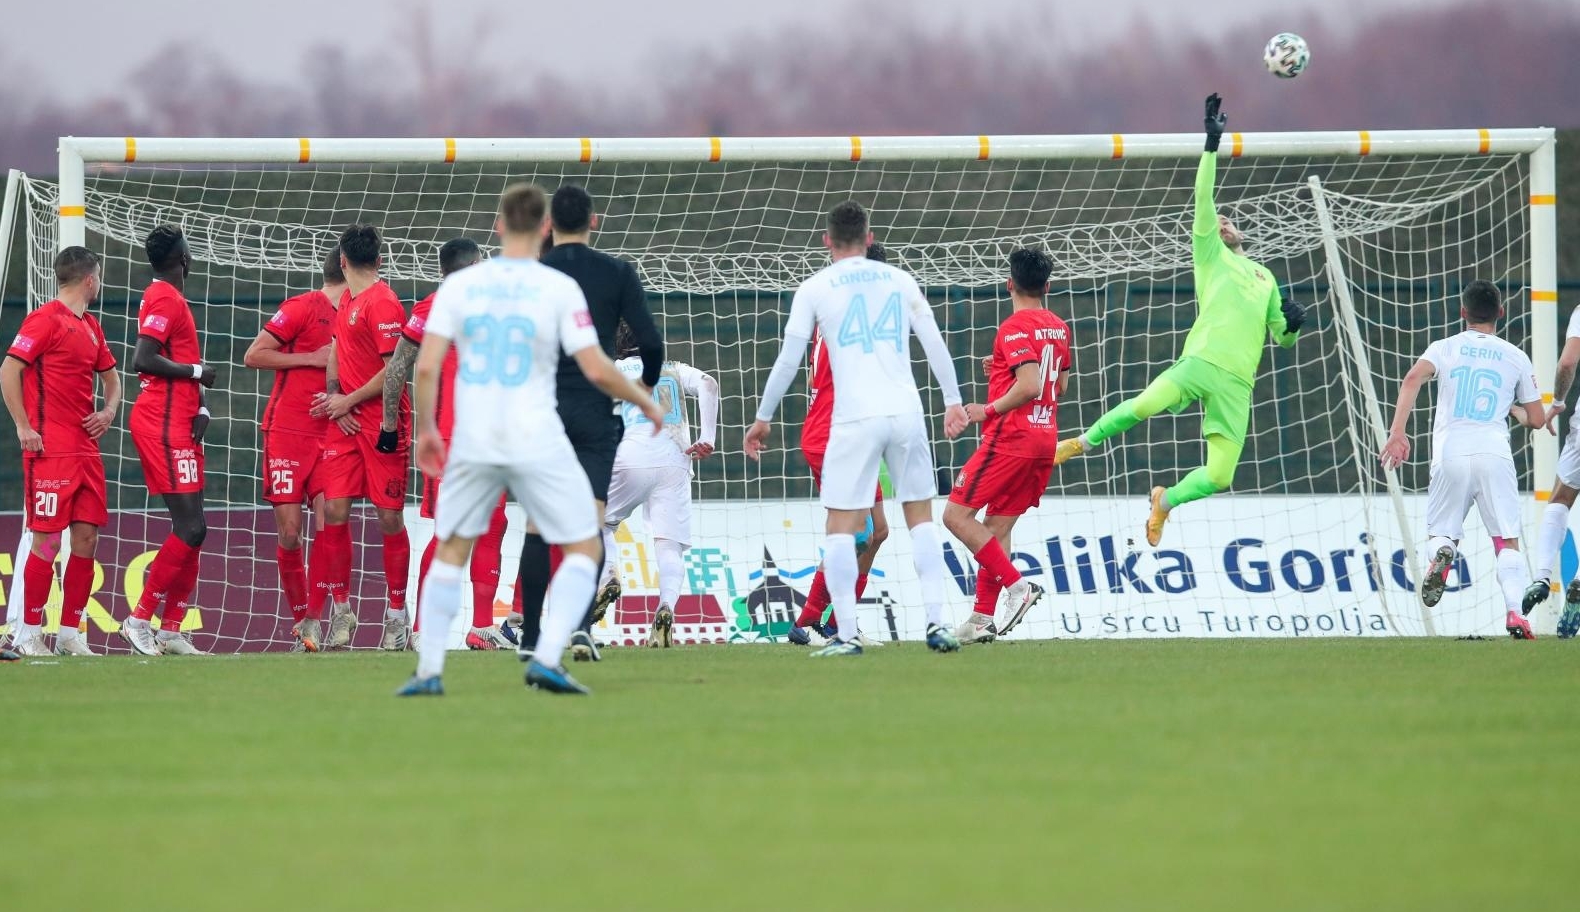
x=510, y=318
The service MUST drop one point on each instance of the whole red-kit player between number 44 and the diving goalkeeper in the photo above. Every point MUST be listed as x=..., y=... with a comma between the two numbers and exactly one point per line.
x=1010, y=469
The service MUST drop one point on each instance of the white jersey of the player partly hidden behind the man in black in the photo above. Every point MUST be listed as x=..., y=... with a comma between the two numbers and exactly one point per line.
x=641, y=448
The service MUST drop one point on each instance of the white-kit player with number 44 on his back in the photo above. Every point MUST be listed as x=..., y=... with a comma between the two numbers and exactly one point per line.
x=867, y=314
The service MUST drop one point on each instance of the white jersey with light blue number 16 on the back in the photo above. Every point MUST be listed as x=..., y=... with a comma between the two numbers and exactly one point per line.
x=1480, y=380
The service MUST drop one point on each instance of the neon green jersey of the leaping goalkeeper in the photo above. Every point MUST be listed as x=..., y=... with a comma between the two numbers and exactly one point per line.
x=1238, y=300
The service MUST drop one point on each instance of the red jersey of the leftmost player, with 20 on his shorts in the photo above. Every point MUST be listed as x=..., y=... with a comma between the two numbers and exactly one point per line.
x=62, y=353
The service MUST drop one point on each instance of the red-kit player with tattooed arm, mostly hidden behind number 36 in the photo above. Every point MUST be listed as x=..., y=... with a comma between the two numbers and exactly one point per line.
x=454, y=255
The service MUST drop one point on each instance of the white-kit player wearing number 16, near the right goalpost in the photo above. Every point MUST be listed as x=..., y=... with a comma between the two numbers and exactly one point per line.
x=1483, y=382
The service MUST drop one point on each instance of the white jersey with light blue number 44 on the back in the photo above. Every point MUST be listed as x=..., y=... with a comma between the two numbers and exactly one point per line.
x=865, y=314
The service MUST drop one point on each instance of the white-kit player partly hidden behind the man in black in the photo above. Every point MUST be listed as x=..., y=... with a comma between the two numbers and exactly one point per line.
x=655, y=472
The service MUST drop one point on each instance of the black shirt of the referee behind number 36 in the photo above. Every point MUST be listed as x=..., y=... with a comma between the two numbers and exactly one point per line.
x=614, y=293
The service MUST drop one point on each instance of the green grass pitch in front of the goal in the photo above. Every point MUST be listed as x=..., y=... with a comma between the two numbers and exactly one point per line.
x=1067, y=775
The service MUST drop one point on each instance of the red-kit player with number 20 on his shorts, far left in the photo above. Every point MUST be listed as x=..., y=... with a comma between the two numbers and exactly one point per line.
x=48, y=385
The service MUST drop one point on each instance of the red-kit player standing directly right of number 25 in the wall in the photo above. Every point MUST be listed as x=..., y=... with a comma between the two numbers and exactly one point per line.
x=367, y=330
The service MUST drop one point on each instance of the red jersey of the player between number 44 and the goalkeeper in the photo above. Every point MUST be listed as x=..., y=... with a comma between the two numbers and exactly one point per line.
x=1028, y=337
